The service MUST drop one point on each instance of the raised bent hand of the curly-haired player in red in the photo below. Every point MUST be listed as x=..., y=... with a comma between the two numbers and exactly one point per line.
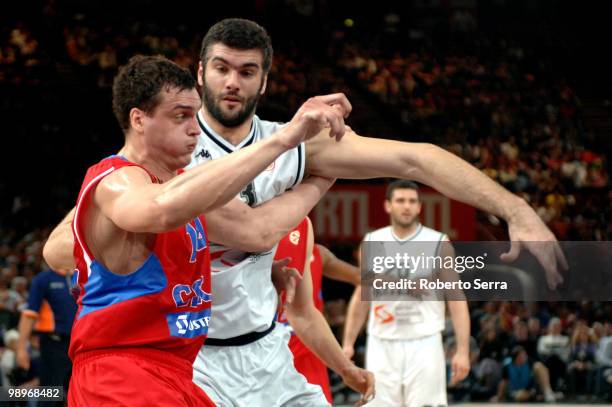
x=316, y=114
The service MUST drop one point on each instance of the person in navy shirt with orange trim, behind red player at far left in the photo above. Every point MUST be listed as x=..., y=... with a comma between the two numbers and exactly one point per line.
x=49, y=289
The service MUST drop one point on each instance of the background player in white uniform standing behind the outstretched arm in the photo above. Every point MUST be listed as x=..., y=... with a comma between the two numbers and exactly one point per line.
x=404, y=348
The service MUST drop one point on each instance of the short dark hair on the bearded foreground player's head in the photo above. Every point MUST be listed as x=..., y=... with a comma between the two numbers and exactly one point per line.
x=241, y=34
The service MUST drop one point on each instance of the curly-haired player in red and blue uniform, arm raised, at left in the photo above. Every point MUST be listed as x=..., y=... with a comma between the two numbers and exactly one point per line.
x=141, y=245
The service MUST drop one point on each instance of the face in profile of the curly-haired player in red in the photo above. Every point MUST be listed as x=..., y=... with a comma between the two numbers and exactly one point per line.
x=173, y=129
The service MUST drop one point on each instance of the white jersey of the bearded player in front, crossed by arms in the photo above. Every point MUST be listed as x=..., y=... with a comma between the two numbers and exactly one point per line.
x=244, y=298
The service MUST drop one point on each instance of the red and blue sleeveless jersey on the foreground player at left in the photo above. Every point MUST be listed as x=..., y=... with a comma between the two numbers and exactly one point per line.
x=163, y=305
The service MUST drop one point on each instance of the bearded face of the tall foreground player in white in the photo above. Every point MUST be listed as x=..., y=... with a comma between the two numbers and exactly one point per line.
x=232, y=82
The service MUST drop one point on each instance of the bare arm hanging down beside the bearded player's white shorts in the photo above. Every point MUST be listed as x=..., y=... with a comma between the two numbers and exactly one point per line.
x=312, y=328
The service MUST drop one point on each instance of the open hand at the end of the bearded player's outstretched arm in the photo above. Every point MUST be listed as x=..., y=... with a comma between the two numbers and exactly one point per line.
x=526, y=229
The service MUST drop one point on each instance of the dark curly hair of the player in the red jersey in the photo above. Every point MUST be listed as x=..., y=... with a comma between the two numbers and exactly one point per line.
x=139, y=83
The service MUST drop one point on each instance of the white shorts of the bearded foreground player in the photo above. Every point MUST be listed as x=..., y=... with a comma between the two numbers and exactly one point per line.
x=259, y=374
